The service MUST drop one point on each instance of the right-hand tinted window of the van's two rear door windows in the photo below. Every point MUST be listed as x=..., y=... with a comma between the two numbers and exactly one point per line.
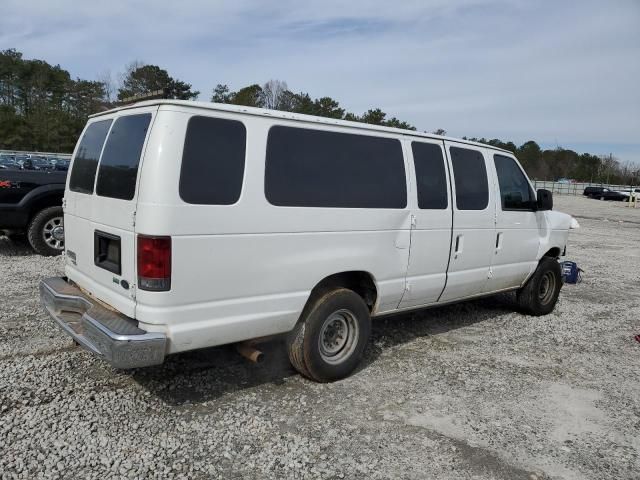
x=119, y=165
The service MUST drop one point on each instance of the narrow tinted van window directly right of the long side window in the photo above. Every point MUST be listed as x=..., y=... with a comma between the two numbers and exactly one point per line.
x=430, y=175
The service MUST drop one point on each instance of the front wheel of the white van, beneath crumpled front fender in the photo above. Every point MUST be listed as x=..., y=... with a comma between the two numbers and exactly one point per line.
x=540, y=294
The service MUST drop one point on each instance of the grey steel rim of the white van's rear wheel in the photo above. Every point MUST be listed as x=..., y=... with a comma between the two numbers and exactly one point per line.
x=338, y=336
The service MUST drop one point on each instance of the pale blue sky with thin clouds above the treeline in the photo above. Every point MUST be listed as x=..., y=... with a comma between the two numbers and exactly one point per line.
x=558, y=72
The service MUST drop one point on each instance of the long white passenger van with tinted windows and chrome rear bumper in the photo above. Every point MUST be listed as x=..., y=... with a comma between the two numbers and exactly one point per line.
x=190, y=225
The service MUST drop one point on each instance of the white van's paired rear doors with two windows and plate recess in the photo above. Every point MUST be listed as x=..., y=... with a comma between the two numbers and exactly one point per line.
x=101, y=198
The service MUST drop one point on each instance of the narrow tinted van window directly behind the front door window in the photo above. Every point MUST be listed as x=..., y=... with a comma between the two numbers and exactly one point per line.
x=472, y=188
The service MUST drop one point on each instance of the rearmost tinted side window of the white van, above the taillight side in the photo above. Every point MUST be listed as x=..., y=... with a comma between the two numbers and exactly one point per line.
x=213, y=161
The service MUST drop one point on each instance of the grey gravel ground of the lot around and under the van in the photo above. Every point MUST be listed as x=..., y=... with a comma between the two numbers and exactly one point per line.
x=472, y=391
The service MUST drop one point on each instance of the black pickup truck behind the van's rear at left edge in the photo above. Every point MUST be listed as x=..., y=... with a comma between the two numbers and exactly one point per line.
x=31, y=192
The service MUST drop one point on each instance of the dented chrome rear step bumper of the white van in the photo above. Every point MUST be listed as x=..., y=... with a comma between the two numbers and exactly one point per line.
x=110, y=335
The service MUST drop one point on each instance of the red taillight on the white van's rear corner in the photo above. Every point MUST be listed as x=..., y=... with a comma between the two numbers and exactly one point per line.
x=154, y=263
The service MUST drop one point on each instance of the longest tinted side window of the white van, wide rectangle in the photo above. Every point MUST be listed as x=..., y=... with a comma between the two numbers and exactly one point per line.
x=317, y=168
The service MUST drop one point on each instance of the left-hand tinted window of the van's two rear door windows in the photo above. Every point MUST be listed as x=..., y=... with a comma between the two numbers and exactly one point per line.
x=83, y=173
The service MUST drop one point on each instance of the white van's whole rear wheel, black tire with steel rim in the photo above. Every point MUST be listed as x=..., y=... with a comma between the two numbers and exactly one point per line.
x=329, y=340
